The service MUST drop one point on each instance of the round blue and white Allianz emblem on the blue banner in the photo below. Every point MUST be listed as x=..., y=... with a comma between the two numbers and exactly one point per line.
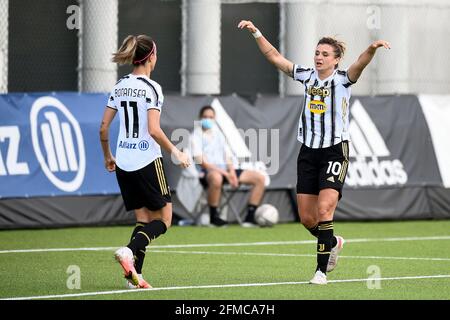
x=58, y=143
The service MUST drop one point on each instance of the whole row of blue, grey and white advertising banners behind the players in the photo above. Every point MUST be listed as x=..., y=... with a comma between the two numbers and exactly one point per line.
x=52, y=172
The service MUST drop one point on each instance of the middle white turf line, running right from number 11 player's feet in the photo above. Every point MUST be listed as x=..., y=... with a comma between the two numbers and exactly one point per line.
x=296, y=255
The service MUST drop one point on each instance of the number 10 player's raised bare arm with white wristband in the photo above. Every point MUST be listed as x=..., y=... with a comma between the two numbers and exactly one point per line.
x=269, y=51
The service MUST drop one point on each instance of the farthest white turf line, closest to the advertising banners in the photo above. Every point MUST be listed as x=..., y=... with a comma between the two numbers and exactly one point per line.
x=239, y=244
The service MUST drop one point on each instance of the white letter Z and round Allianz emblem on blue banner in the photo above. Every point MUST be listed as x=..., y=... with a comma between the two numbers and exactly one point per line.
x=57, y=142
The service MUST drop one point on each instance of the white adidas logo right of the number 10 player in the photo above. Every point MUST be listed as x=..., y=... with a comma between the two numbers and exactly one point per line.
x=370, y=163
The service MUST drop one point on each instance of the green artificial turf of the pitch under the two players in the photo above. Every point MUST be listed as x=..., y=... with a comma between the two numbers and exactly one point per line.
x=249, y=263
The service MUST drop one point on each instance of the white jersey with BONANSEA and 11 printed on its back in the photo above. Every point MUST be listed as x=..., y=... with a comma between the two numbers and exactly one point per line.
x=132, y=97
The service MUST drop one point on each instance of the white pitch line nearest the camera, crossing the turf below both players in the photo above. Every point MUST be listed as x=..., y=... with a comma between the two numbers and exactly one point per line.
x=72, y=295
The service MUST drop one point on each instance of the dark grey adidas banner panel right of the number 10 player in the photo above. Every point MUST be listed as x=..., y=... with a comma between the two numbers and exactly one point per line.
x=390, y=144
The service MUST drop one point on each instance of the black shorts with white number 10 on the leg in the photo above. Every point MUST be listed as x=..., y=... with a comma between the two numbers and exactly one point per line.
x=319, y=169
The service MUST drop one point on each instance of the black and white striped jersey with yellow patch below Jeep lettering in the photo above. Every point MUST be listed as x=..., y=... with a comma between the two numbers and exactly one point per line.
x=325, y=112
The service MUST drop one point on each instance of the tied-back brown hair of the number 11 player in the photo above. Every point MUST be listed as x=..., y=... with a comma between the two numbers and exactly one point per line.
x=135, y=50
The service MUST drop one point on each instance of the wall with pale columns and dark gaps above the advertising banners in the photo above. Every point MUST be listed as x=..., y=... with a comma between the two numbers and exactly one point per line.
x=47, y=59
